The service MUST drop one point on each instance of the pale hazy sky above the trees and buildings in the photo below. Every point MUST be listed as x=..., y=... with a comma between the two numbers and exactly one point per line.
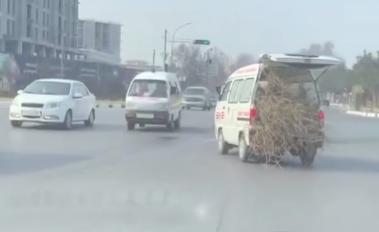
x=237, y=26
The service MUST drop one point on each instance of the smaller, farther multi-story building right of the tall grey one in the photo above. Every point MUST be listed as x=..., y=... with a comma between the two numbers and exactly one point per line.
x=100, y=41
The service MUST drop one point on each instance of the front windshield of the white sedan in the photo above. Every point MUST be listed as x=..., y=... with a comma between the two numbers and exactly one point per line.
x=48, y=88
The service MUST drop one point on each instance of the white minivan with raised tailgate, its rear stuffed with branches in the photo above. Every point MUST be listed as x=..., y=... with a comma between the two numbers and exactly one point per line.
x=235, y=111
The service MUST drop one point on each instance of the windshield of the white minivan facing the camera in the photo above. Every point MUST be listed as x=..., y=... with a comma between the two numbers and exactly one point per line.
x=148, y=88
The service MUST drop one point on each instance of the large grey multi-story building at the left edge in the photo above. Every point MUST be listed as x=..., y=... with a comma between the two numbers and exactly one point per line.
x=39, y=27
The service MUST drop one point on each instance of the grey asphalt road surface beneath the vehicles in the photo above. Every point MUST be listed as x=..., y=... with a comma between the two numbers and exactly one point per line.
x=109, y=179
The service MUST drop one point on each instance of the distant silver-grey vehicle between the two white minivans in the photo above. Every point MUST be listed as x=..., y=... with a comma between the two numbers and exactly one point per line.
x=197, y=97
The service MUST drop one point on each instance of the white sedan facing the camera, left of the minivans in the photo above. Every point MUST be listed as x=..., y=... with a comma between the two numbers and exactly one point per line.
x=53, y=101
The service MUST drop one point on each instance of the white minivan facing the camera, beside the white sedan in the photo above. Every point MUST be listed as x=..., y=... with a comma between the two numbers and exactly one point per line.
x=154, y=98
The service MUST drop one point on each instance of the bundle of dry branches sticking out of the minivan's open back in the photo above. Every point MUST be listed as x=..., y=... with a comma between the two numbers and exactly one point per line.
x=286, y=121
